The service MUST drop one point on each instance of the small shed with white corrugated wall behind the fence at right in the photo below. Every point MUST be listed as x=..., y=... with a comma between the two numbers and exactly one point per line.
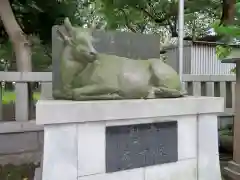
x=199, y=59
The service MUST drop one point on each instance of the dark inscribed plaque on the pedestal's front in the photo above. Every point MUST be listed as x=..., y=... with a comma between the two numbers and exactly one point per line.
x=141, y=145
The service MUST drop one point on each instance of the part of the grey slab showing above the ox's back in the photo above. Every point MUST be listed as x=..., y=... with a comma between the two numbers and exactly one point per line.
x=127, y=44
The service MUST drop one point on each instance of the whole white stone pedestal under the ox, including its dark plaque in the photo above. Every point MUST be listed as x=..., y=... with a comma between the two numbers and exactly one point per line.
x=131, y=139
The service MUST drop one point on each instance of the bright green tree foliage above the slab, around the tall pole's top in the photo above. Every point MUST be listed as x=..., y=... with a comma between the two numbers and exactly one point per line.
x=140, y=15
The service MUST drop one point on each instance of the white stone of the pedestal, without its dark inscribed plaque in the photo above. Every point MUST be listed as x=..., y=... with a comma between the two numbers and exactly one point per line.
x=197, y=144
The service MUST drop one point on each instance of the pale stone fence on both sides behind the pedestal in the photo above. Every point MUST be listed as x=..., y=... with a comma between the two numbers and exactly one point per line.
x=197, y=85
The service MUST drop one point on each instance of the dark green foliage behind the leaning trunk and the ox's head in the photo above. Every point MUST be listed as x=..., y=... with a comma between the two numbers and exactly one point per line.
x=36, y=17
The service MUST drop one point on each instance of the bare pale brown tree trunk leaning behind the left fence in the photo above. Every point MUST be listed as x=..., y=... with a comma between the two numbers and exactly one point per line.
x=19, y=40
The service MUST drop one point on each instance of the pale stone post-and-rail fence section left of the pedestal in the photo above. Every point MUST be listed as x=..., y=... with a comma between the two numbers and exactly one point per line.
x=22, y=110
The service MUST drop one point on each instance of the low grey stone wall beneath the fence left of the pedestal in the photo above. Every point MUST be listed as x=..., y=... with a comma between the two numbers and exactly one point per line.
x=20, y=148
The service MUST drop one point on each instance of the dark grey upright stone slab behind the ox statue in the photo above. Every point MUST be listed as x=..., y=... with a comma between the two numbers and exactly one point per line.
x=125, y=44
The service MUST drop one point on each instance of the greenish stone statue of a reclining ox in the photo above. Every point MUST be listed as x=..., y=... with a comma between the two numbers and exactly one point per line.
x=89, y=75
